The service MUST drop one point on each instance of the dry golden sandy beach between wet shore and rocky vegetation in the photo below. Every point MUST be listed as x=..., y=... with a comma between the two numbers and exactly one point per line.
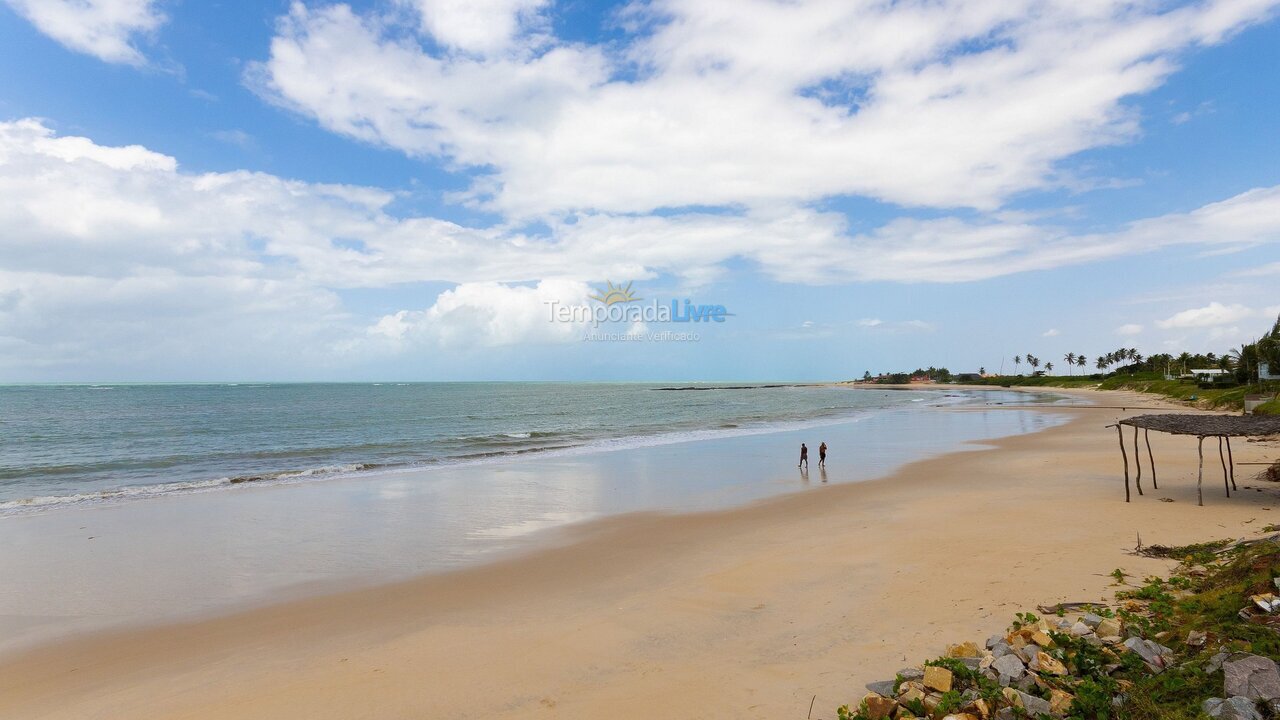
x=749, y=613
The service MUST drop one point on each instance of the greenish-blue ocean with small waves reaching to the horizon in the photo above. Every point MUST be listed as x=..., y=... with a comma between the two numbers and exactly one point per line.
x=92, y=444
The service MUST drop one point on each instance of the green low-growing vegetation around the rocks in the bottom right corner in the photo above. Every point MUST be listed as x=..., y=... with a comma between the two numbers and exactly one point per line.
x=1205, y=595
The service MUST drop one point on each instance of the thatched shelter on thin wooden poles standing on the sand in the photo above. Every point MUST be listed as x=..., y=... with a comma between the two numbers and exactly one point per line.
x=1223, y=427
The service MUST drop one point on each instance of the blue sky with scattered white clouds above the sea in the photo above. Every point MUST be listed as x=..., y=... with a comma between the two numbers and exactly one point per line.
x=409, y=189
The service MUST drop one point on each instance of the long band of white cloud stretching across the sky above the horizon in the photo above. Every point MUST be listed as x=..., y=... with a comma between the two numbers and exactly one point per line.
x=84, y=222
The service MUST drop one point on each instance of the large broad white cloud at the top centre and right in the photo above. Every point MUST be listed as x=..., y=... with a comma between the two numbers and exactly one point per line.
x=940, y=104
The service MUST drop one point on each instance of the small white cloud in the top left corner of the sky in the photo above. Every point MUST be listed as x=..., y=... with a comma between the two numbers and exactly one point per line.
x=104, y=29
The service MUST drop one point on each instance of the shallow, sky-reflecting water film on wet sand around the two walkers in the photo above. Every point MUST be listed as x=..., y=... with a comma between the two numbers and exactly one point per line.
x=180, y=555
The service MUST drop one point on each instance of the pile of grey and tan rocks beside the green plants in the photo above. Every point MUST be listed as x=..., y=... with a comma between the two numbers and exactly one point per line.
x=1023, y=673
